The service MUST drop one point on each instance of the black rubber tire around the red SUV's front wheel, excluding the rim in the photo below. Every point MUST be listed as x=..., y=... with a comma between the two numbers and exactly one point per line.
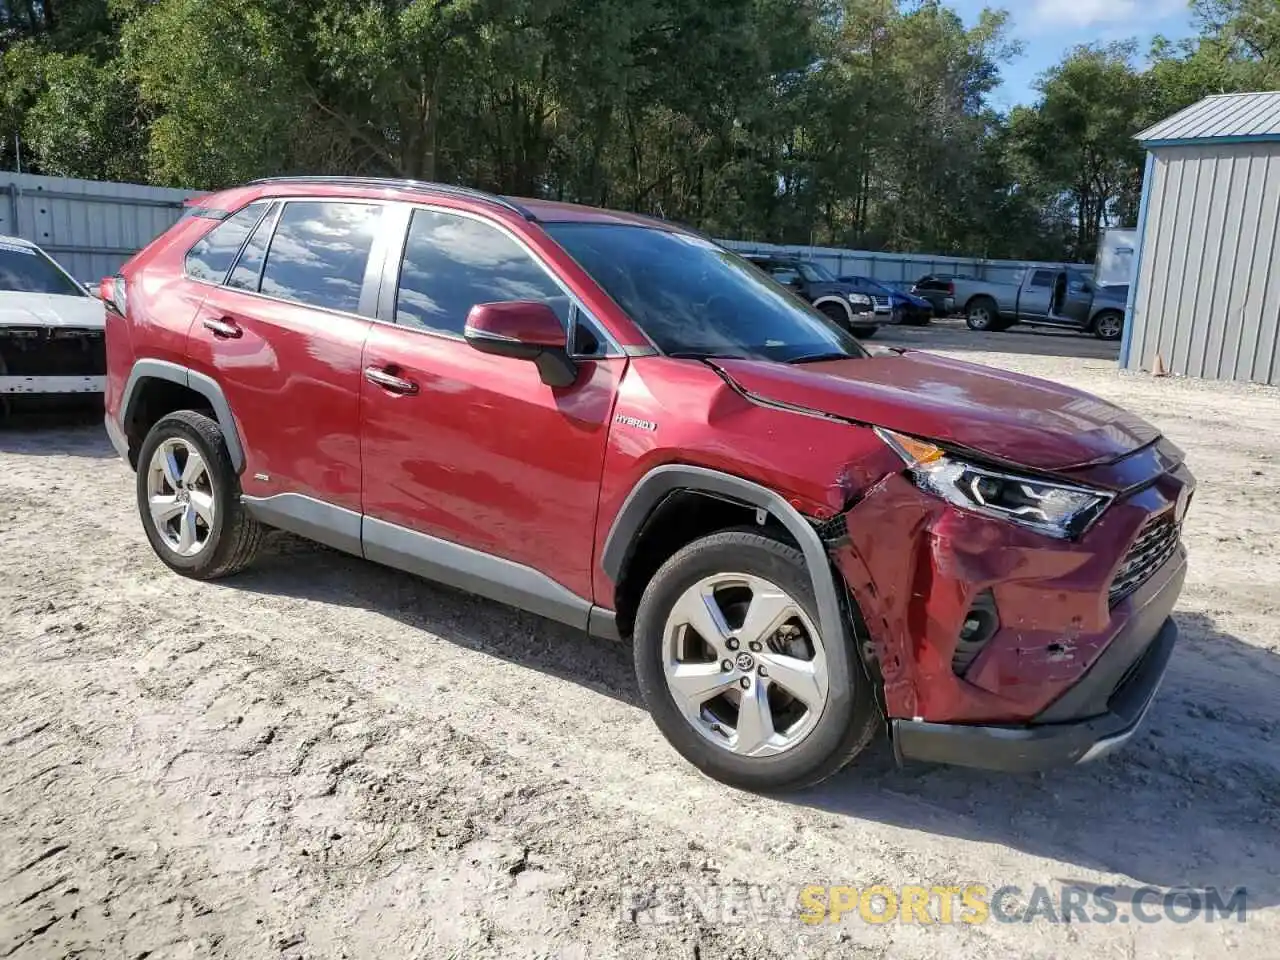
x=851, y=717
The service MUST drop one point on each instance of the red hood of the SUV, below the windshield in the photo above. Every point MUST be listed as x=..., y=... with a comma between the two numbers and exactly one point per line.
x=1007, y=417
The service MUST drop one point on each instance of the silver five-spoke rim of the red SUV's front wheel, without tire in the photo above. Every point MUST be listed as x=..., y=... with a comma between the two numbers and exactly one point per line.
x=746, y=665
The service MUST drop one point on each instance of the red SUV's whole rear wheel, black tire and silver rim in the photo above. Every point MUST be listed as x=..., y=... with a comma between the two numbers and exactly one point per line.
x=190, y=500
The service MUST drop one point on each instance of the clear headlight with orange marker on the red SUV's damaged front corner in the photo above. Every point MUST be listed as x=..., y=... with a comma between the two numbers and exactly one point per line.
x=1048, y=508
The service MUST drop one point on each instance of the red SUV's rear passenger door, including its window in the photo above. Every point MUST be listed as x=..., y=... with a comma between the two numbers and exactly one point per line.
x=282, y=333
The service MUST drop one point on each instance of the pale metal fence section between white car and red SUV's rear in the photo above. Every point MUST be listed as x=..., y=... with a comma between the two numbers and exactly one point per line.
x=89, y=227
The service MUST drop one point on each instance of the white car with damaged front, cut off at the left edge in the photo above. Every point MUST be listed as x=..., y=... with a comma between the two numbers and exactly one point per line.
x=51, y=327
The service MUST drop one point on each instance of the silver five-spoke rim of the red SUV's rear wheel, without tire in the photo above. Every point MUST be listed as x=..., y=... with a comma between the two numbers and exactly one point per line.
x=181, y=497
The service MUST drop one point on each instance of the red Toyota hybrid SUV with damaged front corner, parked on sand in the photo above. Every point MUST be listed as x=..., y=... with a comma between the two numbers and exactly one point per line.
x=618, y=424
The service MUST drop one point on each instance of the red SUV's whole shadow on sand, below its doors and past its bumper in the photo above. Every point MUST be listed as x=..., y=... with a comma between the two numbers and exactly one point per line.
x=1191, y=803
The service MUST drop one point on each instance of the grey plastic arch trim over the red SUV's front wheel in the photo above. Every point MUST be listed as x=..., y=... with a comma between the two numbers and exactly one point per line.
x=661, y=482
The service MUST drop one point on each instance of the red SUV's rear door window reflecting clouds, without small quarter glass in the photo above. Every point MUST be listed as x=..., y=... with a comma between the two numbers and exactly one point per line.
x=319, y=253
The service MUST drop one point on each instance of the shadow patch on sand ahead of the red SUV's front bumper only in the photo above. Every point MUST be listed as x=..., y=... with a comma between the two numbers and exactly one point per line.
x=1192, y=802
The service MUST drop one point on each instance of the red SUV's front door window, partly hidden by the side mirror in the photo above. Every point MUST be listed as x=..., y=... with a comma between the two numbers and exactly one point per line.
x=452, y=263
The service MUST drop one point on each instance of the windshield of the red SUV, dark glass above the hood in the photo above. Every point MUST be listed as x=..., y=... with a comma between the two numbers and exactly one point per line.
x=696, y=299
